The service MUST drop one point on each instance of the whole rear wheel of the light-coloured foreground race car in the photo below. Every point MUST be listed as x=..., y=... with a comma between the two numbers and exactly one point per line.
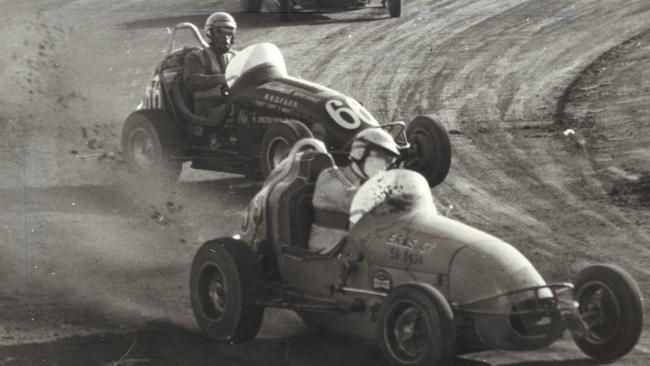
x=225, y=281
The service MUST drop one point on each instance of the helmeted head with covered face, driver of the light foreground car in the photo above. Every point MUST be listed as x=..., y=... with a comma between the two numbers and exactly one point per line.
x=373, y=151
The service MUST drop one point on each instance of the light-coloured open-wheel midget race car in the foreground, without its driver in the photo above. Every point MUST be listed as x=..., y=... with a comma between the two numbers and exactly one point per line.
x=423, y=286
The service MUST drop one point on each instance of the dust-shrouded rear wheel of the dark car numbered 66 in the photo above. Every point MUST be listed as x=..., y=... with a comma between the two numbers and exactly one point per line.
x=149, y=142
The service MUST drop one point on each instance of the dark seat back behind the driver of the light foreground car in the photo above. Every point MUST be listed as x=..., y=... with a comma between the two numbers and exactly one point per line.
x=295, y=209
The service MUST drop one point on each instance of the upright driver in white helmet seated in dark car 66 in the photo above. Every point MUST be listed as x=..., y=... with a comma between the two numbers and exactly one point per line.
x=204, y=70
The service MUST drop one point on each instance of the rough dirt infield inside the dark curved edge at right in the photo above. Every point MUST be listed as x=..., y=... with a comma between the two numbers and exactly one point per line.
x=608, y=101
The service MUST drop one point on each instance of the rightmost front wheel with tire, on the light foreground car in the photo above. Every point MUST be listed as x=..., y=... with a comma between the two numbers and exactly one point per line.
x=611, y=306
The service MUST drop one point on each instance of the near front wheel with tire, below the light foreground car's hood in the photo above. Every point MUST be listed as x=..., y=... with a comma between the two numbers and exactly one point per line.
x=416, y=327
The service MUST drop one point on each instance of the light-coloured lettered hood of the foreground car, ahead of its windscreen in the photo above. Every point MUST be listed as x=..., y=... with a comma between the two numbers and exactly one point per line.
x=465, y=263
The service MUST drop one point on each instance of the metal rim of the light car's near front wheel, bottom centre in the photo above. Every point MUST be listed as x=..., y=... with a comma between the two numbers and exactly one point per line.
x=407, y=331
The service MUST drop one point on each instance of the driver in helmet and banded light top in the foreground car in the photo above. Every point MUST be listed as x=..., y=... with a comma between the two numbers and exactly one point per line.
x=373, y=151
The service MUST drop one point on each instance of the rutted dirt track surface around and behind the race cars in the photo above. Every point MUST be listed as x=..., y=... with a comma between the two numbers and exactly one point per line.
x=95, y=268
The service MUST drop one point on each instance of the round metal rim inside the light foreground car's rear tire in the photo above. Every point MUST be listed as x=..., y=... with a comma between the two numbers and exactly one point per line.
x=213, y=292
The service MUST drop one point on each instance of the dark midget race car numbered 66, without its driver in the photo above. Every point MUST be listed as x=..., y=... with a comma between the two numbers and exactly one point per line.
x=265, y=111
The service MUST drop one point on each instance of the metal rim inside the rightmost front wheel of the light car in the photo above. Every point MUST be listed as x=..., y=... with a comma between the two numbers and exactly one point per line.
x=600, y=311
